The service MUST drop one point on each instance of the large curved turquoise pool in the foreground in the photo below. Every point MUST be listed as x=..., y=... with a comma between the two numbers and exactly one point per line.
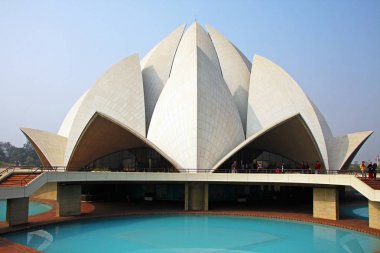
x=187, y=234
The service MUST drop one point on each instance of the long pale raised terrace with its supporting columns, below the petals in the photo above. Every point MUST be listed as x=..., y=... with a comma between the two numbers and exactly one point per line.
x=196, y=185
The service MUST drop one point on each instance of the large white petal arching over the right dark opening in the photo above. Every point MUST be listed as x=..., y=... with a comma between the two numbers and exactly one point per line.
x=273, y=94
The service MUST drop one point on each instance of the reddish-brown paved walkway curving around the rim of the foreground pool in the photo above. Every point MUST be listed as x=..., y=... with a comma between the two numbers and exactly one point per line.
x=108, y=209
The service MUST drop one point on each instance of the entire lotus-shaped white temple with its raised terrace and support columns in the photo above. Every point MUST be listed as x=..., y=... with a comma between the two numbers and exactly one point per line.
x=193, y=121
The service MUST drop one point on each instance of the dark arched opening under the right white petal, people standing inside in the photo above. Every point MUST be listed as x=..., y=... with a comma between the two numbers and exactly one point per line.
x=289, y=142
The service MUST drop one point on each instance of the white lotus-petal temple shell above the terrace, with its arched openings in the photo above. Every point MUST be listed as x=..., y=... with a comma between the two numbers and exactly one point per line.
x=194, y=102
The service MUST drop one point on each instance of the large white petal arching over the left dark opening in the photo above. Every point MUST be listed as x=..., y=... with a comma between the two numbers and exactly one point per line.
x=118, y=94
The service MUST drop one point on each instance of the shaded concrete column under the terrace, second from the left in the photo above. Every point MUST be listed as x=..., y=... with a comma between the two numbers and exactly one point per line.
x=68, y=198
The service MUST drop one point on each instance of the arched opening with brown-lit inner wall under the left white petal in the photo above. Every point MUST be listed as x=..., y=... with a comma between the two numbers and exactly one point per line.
x=106, y=144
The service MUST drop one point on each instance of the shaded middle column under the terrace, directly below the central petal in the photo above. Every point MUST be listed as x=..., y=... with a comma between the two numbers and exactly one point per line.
x=196, y=196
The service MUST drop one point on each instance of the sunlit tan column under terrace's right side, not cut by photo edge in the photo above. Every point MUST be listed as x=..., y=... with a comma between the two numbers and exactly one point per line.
x=326, y=203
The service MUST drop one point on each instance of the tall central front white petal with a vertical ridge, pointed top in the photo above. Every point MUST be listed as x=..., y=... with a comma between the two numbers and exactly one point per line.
x=195, y=112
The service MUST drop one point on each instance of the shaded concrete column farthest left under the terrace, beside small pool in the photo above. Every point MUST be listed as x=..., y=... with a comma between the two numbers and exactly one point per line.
x=17, y=211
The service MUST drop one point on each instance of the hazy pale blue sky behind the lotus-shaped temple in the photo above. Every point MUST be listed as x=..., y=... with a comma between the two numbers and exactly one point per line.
x=51, y=52
